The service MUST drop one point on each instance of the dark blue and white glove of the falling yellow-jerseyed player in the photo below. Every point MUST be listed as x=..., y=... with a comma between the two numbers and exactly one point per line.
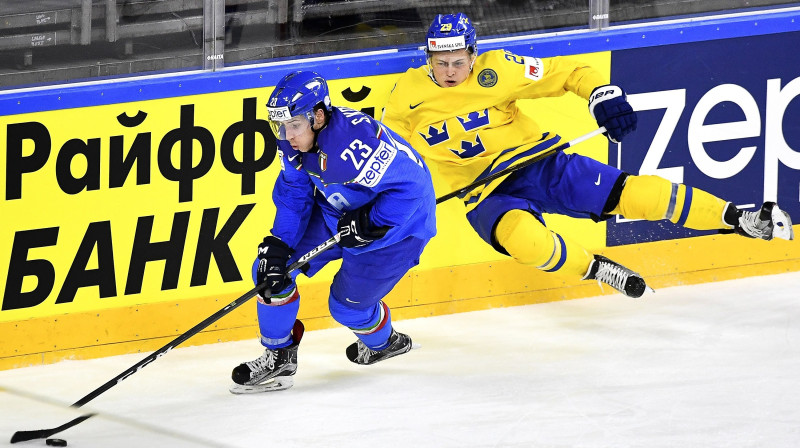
x=609, y=106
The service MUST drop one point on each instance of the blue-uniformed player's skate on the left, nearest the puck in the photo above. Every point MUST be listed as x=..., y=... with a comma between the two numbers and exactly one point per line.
x=271, y=371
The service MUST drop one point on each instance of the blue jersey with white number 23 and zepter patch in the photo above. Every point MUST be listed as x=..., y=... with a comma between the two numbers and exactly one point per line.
x=359, y=161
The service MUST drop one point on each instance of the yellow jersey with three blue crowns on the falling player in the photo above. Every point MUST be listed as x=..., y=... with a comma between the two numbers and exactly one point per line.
x=474, y=129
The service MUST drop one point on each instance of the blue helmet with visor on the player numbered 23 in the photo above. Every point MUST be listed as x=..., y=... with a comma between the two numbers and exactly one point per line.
x=296, y=95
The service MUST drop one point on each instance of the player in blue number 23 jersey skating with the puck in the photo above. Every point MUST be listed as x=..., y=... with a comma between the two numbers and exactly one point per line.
x=340, y=169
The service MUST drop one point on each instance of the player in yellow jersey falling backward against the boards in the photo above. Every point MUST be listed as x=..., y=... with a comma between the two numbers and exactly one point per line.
x=460, y=113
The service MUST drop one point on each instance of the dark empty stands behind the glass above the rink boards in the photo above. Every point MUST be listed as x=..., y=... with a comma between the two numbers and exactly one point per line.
x=53, y=41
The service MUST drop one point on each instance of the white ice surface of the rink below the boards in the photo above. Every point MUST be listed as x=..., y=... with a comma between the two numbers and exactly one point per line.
x=713, y=365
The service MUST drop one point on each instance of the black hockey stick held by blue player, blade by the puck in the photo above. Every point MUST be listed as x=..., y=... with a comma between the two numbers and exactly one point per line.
x=22, y=436
